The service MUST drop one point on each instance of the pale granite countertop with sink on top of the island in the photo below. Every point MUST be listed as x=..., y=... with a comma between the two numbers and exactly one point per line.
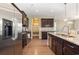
x=74, y=40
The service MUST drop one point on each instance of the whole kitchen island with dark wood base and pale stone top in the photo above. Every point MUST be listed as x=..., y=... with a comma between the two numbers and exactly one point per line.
x=62, y=44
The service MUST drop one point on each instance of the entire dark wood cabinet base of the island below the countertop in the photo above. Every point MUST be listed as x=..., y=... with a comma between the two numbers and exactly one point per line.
x=62, y=47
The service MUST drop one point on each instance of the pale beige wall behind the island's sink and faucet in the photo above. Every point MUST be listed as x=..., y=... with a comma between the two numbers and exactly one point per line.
x=62, y=26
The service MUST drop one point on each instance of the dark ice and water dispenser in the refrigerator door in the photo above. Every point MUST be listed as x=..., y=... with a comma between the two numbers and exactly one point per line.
x=7, y=29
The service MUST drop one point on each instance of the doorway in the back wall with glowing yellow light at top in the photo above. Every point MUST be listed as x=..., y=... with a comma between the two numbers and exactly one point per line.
x=35, y=27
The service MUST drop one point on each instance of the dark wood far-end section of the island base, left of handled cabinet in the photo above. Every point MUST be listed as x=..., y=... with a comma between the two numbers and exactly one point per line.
x=56, y=44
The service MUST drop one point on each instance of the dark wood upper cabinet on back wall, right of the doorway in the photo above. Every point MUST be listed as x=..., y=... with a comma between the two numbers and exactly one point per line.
x=47, y=22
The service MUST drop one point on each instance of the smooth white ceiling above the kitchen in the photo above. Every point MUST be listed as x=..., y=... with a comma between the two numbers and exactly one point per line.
x=55, y=10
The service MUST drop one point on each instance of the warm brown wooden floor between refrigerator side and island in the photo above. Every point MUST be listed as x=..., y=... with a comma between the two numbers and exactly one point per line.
x=37, y=47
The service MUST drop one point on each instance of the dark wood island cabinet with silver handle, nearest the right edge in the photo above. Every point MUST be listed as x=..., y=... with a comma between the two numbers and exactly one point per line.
x=70, y=48
